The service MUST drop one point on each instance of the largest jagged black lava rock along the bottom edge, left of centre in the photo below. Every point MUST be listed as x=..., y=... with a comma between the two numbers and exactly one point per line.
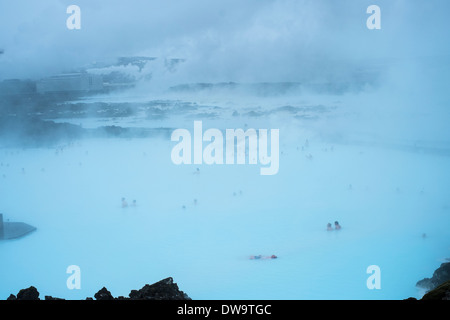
x=165, y=289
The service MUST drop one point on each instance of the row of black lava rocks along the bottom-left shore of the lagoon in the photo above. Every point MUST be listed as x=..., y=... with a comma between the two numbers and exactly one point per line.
x=165, y=289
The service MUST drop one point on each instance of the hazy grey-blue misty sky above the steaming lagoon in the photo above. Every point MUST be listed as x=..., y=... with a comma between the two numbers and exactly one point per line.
x=232, y=40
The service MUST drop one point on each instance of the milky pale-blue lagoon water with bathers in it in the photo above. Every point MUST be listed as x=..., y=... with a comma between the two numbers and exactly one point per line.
x=73, y=197
